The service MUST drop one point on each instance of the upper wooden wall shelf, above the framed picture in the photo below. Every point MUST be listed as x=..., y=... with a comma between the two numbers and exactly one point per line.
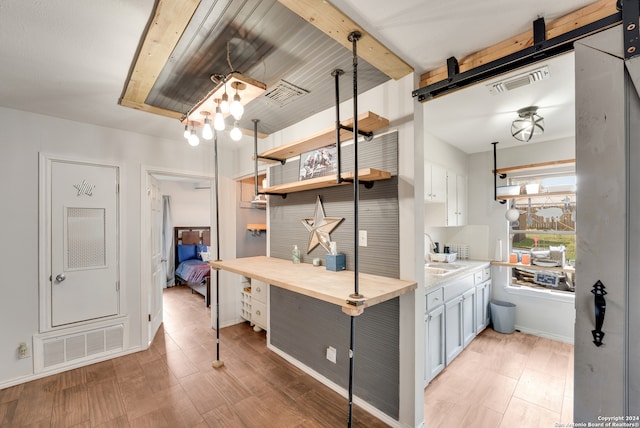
x=367, y=122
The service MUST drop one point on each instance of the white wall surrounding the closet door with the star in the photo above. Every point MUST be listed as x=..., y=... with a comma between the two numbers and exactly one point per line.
x=24, y=136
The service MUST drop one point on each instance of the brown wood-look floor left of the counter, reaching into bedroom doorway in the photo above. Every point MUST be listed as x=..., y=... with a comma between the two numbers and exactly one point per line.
x=173, y=385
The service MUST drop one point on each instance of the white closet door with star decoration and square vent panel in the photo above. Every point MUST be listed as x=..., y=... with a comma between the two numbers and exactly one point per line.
x=84, y=241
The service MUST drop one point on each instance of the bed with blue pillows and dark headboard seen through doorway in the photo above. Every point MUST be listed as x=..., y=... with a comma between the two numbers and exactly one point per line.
x=192, y=259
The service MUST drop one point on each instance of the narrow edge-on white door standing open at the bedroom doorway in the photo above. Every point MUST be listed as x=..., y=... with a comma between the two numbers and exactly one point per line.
x=157, y=271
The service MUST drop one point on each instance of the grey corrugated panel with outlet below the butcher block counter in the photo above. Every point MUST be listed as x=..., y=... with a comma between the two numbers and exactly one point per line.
x=304, y=327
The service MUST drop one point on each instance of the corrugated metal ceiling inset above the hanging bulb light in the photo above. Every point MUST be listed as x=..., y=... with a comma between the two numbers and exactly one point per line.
x=267, y=42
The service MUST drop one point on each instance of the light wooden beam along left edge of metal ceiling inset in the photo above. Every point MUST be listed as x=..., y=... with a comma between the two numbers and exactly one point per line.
x=170, y=18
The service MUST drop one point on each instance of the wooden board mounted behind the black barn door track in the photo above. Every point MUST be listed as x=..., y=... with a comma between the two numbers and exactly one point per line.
x=587, y=15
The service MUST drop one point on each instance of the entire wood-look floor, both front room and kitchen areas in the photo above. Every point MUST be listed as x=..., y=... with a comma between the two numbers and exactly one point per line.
x=498, y=381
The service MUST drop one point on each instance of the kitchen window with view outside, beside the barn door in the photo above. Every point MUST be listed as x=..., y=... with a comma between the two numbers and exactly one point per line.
x=545, y=230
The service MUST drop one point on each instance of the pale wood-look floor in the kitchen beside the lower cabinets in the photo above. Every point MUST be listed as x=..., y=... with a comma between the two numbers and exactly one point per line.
x=504, y=380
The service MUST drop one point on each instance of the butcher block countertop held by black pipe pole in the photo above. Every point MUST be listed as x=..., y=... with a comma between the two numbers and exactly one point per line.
x=318, y=282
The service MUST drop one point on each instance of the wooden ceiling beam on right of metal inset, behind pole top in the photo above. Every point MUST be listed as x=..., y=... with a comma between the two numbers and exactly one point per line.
x=335, y=24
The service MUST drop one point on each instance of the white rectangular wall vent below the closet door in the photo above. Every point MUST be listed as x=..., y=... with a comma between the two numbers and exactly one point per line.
x=71, y=348
